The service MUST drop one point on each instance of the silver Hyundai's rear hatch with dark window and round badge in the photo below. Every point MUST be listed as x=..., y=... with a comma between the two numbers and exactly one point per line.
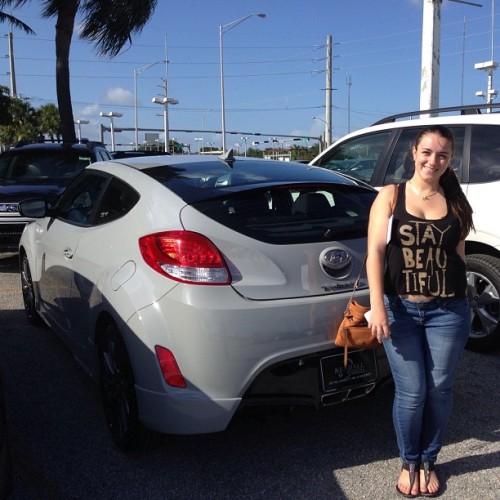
x=287, y=241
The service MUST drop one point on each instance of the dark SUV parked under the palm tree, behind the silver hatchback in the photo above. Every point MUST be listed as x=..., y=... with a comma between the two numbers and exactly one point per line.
x=41, y=169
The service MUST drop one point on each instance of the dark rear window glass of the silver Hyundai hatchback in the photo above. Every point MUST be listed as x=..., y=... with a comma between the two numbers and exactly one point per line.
x=294, y=214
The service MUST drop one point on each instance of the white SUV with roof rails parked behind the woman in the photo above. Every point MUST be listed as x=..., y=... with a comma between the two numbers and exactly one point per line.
x=383, y=151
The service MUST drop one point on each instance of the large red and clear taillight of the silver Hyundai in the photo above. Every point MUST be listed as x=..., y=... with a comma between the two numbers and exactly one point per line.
x=185, y=256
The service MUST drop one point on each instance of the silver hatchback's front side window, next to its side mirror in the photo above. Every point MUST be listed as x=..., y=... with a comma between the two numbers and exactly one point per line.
x=79, y=202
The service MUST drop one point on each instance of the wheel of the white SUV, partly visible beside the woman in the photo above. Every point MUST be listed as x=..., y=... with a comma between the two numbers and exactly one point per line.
x=483, y=279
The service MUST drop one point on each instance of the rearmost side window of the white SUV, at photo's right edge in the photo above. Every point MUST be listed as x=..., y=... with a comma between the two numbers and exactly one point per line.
x=485, y=154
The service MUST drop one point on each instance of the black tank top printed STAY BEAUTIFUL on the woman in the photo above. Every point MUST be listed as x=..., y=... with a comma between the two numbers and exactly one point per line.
x=422, y=256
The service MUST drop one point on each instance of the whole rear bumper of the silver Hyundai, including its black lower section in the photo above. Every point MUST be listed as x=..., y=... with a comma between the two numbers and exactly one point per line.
x=235, y=353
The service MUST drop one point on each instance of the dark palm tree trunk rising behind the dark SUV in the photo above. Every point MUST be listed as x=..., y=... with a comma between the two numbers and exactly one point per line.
x=64, y=32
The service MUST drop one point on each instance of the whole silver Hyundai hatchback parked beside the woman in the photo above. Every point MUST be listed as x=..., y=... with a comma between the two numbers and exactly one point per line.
x=191, y=287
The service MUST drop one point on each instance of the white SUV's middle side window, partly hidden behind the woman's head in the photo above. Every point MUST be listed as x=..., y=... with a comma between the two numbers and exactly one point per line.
x=401, y=166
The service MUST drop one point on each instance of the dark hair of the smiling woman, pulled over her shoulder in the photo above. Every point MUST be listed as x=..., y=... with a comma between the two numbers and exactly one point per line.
x=453, y=193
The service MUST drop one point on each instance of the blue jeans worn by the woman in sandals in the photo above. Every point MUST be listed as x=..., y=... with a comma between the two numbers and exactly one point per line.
x=427, y=339
